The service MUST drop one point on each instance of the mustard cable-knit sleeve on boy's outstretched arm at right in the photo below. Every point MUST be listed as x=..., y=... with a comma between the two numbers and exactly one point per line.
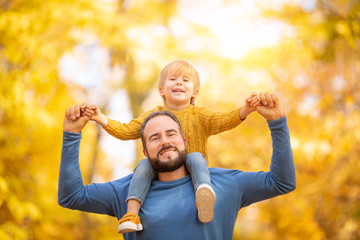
x=217, y=122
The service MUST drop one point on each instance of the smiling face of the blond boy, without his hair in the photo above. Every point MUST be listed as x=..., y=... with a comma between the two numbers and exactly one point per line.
x=178, y=90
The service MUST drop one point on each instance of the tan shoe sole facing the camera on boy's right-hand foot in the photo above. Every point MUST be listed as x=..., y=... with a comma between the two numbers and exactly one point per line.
x=205, y=201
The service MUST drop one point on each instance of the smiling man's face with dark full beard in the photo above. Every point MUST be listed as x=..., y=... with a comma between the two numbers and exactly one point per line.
x=165, y=147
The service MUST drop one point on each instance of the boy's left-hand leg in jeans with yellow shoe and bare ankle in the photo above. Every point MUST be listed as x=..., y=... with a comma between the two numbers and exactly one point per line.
x=138, y=189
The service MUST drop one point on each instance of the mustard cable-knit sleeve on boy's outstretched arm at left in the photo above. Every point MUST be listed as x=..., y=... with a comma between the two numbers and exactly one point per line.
x=127, y=131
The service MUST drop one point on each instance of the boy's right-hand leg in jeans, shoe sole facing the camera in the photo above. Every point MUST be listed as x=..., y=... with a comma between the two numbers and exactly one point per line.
x=197, y=166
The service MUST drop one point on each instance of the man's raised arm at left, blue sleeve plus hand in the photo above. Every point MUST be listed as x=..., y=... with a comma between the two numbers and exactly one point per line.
x=72, y=193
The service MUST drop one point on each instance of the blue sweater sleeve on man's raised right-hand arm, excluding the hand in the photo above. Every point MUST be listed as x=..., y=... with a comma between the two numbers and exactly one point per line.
x=281, y=179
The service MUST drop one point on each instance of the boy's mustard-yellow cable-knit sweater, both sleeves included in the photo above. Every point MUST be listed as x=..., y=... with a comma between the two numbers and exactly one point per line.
x=197, y=123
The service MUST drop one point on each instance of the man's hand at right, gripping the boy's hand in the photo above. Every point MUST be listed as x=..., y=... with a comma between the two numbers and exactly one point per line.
x=270, y=107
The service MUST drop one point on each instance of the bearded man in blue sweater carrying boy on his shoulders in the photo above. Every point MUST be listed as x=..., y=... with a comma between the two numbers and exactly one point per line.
x=169, y=211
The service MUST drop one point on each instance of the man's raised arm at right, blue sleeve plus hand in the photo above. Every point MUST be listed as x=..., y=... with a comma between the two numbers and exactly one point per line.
x=281, y=178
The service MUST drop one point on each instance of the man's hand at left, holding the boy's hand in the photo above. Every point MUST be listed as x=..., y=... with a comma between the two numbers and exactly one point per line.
x=73, y=121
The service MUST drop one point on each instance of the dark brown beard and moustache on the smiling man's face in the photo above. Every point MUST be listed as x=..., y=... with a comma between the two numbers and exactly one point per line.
x=171, y=164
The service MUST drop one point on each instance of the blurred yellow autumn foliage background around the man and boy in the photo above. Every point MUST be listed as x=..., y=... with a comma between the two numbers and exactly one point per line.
x=57, y=53
